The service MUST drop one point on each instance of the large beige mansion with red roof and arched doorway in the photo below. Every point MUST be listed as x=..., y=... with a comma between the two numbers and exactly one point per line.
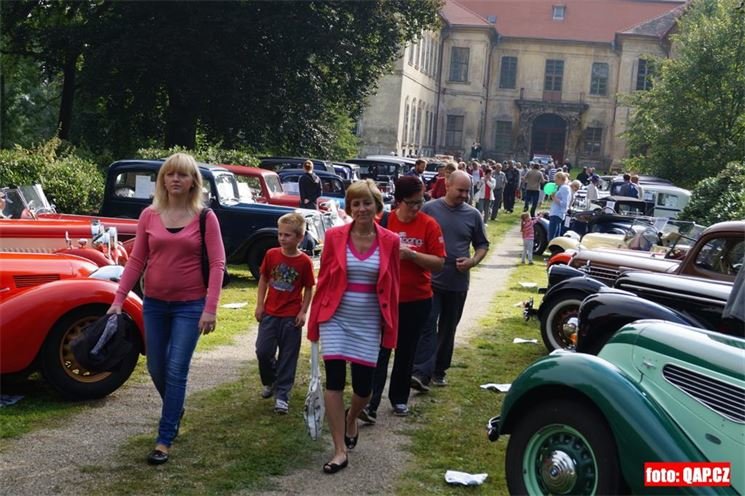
x=521, y=77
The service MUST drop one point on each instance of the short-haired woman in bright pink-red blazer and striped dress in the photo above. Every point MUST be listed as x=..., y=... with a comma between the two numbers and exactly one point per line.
x=354, y=311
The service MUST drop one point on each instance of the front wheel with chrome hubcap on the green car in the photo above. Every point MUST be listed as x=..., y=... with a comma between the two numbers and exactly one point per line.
x=564, y=447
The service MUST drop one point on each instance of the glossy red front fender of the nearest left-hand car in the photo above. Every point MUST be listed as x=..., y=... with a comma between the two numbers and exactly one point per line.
x=25, y=327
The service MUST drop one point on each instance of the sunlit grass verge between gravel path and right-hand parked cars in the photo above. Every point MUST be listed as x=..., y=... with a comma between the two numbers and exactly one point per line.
x=451, y=421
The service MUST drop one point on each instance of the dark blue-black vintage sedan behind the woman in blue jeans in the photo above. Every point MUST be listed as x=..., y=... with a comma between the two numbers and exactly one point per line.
x=248, y=229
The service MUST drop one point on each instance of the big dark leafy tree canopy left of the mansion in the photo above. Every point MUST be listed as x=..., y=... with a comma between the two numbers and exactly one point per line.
x=278, y=76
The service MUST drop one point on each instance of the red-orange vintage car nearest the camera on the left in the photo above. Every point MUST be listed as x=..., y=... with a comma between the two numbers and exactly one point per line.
x=45, y=302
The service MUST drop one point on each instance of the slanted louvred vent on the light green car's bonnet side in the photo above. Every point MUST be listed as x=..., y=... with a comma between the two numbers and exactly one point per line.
x=723, y=398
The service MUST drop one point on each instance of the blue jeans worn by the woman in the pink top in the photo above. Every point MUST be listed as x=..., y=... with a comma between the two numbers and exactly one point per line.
x=171, y=334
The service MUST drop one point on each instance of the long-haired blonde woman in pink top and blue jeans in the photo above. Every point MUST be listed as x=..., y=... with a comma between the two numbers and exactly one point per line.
x=178, y=305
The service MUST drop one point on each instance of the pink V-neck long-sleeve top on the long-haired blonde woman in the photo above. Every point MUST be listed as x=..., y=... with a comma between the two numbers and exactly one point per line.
x=174, y=266
